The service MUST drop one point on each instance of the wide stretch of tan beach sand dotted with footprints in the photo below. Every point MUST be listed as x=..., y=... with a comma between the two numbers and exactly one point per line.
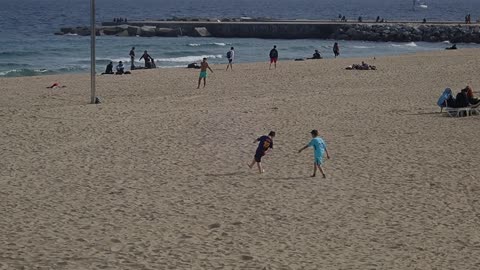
x=156, y=176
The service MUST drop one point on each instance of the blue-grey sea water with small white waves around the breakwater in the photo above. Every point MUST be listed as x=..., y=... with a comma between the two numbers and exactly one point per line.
x=28, y=46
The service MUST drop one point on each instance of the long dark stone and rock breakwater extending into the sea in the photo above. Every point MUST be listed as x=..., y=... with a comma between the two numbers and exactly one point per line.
x=398, y=32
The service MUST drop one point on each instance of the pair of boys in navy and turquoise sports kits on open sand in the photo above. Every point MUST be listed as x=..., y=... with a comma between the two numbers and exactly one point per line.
x=265, y=143
